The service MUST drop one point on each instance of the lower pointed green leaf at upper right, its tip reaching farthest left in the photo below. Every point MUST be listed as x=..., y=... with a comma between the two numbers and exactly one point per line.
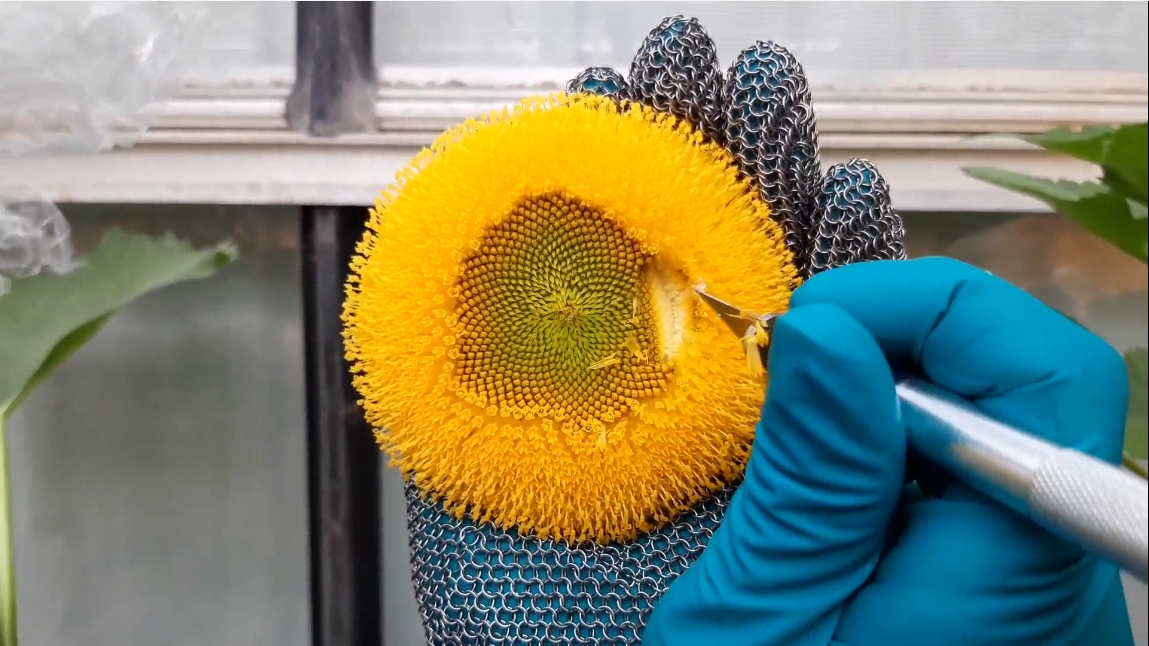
x=1092, y=205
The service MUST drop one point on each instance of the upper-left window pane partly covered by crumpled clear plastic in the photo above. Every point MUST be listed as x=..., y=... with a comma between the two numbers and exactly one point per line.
x=86, y=76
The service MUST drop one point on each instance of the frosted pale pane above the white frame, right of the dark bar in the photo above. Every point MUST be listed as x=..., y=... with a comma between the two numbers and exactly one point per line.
x=828, y=37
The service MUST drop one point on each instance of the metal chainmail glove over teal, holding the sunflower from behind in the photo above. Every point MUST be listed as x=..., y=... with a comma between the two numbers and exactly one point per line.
x=480, y=586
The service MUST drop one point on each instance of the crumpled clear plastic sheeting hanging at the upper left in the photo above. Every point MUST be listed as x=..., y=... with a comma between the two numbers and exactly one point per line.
x=81, y=79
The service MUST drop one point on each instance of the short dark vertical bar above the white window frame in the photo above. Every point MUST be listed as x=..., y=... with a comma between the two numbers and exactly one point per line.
x=335, y=70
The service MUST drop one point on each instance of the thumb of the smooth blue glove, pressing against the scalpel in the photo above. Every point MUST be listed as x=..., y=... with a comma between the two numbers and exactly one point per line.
x=808, y=525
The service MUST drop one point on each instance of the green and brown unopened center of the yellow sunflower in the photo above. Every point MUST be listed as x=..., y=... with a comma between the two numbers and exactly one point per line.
x=556, y=316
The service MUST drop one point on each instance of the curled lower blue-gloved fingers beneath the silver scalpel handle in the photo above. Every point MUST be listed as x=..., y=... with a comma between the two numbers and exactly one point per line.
x=966, y=572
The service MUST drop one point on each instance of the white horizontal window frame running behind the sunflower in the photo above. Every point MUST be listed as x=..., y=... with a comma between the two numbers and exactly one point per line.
x=227, y=142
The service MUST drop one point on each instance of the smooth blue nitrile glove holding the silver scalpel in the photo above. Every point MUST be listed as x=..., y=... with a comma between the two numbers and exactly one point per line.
x=823, y=544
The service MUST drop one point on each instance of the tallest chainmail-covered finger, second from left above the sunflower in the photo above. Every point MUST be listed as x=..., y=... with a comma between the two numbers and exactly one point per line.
x=676, y=71
